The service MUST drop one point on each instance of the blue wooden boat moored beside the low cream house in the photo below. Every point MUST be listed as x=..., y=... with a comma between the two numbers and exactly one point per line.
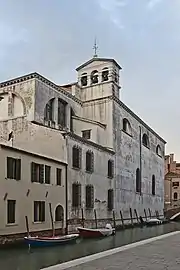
x=37, y=241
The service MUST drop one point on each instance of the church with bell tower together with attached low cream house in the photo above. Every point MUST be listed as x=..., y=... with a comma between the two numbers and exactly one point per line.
x=80, y=148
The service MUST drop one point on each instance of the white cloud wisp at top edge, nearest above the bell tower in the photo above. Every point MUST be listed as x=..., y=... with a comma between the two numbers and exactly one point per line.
x=111, y=9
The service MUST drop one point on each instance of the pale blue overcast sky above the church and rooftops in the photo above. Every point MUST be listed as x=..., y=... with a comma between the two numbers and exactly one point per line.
x=53, y=37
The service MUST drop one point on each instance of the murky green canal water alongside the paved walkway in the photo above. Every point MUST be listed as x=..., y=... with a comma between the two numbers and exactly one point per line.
x=23, y=259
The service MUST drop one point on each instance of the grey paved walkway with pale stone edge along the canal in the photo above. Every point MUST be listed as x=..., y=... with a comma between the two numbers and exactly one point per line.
x=158, y=253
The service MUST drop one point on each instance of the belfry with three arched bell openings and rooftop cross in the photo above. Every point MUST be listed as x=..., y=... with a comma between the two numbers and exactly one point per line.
x=99, y=77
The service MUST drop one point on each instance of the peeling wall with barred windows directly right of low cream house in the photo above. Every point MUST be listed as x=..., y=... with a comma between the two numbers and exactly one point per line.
x=98, y=179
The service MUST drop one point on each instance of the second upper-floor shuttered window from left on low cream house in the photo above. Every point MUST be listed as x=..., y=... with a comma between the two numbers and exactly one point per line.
x=37, y=172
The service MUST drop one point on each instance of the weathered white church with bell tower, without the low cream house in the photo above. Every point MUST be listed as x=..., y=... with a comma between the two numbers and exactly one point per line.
x=115, y=161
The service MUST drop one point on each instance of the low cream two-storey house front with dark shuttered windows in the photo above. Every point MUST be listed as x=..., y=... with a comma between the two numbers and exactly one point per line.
x=21, y=197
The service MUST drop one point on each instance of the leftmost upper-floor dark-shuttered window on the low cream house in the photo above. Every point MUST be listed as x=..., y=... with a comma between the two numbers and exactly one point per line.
x=13, y=168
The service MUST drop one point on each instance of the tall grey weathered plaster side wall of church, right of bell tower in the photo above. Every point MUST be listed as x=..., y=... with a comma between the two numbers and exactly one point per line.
x=128, y=160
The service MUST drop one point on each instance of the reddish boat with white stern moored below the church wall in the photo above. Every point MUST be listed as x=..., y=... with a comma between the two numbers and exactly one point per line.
x=96, y=233
